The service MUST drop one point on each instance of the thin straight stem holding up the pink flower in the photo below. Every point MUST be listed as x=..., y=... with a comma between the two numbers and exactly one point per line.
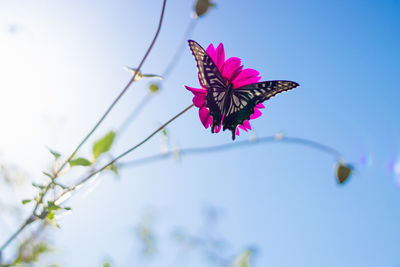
x=61, y=198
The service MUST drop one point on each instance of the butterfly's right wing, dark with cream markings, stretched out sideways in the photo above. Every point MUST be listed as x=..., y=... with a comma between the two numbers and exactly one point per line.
x=244, y=99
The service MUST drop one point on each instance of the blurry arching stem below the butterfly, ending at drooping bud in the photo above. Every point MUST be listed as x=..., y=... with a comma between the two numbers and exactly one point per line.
x=217, y=148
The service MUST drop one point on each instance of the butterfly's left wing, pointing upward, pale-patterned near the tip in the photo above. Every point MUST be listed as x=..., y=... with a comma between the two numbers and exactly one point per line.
x=211, y=79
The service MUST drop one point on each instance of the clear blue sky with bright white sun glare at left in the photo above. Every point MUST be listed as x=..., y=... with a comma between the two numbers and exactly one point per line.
x=282, y=198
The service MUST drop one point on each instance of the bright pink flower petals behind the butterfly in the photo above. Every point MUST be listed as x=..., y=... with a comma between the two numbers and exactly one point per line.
x=232, y=71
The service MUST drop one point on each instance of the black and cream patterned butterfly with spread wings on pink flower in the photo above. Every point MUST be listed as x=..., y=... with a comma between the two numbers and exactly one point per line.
x=231, y=106
